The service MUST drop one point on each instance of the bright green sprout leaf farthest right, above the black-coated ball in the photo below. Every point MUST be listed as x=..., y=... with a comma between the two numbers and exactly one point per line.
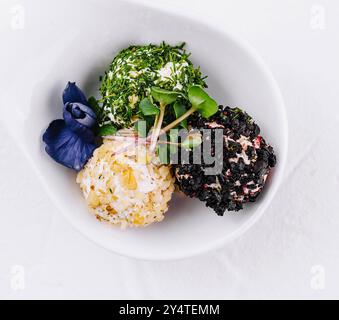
x=202, y=102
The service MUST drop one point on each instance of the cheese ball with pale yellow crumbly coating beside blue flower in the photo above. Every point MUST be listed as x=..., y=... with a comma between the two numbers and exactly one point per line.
x=123, y=187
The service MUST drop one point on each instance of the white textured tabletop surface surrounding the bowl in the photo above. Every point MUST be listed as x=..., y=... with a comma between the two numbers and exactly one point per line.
x=274, y=259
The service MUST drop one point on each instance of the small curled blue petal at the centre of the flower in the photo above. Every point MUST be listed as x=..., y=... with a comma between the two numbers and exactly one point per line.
x=78, y=115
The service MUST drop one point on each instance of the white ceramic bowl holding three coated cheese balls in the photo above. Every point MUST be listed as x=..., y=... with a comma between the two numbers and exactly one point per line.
x=76, y=40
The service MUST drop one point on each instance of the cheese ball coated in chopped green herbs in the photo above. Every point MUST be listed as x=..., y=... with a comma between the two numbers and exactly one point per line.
x=132, y=74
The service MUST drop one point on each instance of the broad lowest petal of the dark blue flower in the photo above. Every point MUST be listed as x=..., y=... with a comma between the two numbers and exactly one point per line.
x=66, y=146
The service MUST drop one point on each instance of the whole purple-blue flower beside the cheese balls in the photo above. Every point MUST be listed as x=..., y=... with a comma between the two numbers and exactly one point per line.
x=70, y=141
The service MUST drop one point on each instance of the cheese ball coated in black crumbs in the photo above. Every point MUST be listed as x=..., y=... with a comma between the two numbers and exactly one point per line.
x=247, y=161
